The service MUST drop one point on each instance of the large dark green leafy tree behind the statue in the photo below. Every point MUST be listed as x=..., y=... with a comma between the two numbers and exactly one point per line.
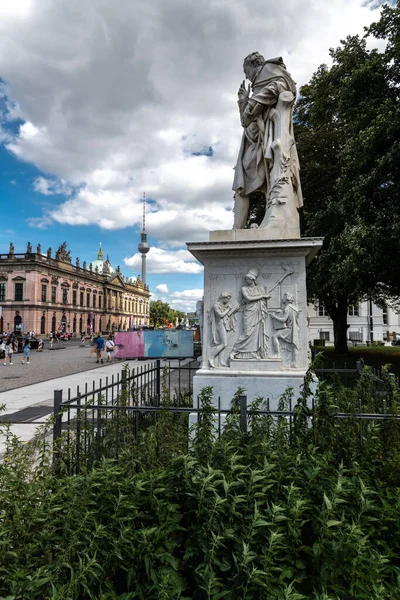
x=347, y=122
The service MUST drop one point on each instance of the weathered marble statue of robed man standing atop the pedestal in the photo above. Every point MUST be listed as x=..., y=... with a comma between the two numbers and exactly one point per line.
x=267, y=159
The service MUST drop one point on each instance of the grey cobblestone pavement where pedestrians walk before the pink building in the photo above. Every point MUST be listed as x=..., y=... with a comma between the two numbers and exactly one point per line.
x=48, y=364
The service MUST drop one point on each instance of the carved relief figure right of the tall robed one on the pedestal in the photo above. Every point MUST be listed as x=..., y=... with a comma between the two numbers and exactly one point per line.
x=287, y=328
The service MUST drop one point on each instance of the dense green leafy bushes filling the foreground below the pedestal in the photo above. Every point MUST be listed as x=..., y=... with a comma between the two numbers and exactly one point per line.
x=289, y=510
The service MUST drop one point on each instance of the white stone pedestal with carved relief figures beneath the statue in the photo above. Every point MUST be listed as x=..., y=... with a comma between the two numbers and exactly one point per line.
x=254, y=314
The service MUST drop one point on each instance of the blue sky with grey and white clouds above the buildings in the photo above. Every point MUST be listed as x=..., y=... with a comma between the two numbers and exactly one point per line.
x=100, y=102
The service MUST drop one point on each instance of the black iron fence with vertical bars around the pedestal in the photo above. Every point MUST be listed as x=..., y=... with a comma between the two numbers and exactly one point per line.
x=114, y=418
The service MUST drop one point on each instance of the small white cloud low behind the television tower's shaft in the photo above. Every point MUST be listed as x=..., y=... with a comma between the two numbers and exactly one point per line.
x=165, y=261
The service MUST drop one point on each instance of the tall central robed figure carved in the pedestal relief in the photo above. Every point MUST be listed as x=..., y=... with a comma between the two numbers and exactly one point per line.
x=253, y=342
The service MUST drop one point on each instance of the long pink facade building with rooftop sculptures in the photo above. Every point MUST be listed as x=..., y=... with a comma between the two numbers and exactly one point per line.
x=42, y=293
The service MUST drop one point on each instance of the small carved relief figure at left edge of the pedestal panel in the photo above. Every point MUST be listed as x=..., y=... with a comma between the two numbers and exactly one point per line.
x=222, y=320
